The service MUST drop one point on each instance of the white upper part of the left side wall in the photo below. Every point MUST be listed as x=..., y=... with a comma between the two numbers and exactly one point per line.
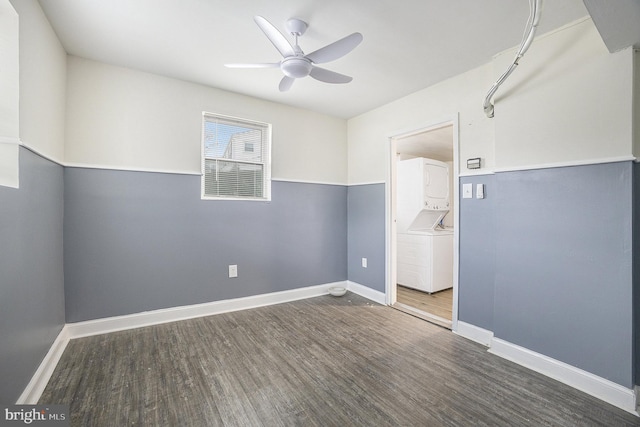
x=42, y=82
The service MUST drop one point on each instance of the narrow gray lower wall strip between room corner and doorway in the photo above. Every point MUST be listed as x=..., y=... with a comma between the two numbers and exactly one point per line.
x=366, y=224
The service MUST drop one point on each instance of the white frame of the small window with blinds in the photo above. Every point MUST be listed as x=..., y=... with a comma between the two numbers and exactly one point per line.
x=266, y=161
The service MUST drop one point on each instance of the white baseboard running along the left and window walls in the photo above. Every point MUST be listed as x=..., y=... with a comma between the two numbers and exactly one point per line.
x=39, y=381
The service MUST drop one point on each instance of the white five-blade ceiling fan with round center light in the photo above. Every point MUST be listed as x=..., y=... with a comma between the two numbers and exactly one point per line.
x=295, y=64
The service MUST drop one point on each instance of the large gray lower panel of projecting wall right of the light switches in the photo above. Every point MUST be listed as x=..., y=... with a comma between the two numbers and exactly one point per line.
x=563, y=282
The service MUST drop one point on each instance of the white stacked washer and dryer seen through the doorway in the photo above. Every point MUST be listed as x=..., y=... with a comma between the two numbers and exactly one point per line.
x=424, y=245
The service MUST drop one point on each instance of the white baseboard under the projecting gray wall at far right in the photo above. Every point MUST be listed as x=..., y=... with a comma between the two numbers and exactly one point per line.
x=594, y=385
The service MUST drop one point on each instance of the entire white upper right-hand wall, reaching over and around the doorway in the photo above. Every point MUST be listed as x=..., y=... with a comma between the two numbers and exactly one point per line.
x=569, y=101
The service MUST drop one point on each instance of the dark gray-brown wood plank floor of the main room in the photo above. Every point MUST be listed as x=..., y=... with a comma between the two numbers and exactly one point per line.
x=323, y=361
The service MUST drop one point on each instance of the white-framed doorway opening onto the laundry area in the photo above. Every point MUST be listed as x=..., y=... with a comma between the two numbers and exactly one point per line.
x=437, y=143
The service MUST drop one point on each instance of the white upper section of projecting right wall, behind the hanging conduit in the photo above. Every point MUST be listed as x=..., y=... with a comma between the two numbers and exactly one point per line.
x=569, y=100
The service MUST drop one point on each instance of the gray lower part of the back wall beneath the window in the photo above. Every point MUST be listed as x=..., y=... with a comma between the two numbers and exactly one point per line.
x=137, y=241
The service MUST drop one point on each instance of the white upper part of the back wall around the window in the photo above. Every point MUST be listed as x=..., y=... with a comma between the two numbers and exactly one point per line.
x=125, y=119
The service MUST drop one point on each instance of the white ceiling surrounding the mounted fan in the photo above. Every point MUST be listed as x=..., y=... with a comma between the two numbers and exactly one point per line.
x=408, y=45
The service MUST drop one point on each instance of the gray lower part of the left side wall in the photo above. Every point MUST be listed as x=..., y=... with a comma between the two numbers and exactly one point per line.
x=31, y=275
